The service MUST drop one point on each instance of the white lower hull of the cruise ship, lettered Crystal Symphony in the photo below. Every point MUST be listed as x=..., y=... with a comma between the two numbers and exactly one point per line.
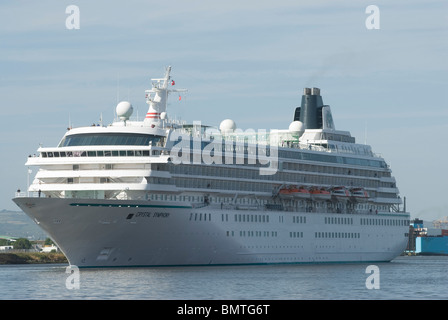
x=102, y=233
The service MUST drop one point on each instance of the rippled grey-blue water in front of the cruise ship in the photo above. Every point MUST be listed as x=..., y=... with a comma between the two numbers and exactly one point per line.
x=406, y=278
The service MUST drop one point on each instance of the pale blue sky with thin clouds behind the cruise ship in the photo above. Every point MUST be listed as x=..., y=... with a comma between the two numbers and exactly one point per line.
x=244, y=60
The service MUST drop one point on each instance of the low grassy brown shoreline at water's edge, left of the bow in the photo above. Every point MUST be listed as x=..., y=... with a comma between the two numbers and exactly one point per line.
x=31, y=258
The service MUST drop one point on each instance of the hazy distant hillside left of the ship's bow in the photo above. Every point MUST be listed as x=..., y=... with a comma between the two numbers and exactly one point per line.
x=18, y=224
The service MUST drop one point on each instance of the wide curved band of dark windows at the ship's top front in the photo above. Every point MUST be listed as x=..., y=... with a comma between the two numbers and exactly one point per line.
x=113, y=139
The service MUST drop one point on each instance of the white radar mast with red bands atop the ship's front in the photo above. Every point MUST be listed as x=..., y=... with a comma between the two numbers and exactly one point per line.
x=157, y=97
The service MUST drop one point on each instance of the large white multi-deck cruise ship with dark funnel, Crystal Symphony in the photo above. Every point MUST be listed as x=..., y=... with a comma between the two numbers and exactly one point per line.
x=162, y=192
